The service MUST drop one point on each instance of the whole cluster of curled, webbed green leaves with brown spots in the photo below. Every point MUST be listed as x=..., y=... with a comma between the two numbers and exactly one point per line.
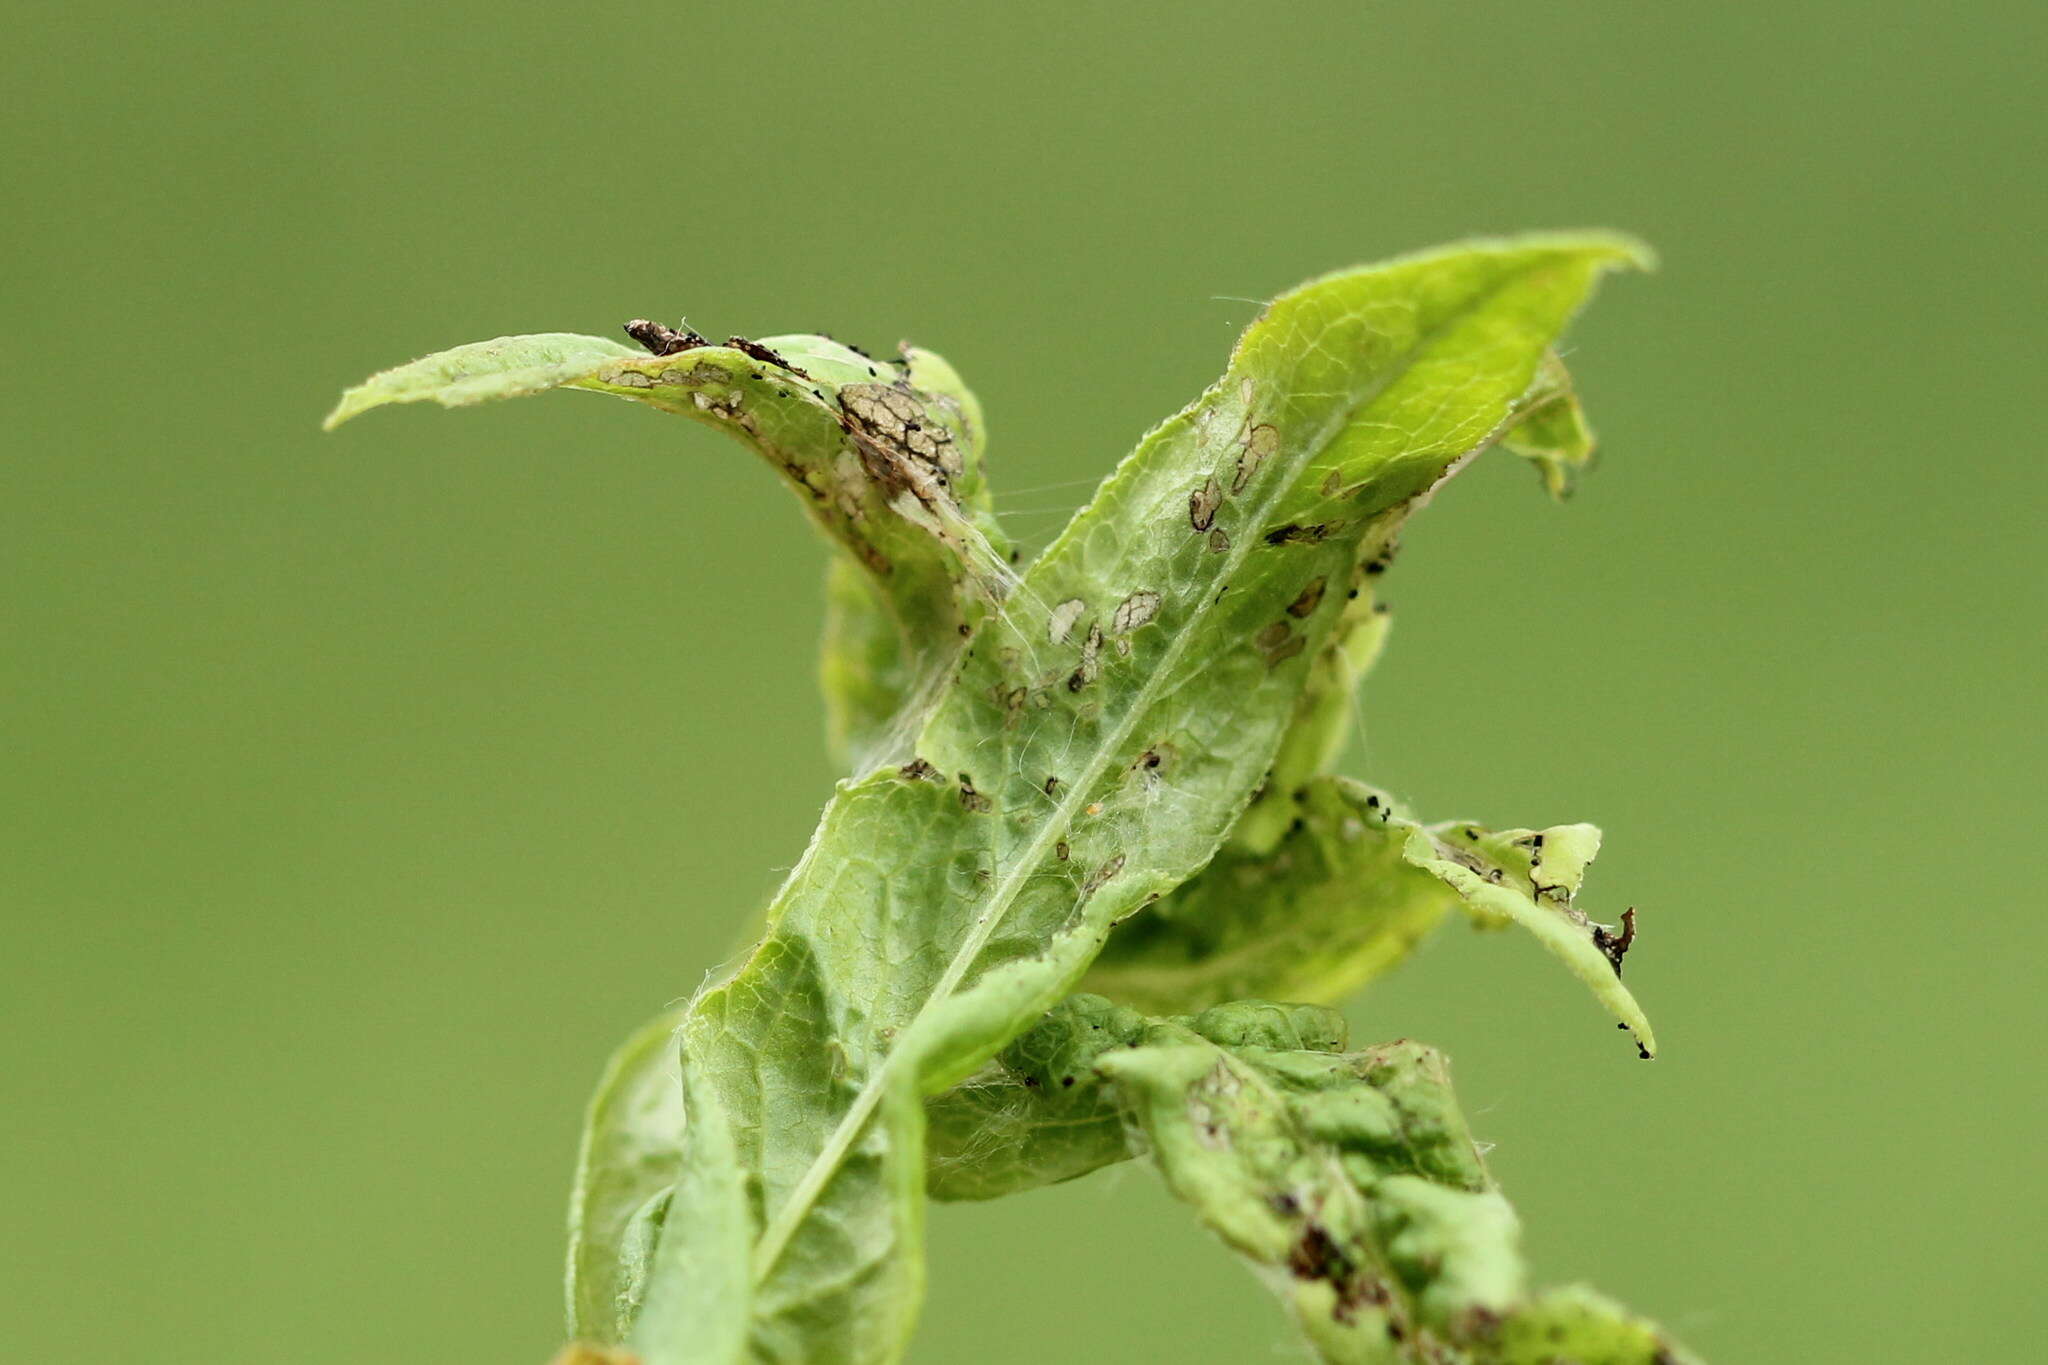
x=1109, y=766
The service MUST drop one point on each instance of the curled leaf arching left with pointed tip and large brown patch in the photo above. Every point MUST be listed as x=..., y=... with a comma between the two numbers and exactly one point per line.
x=884, y=455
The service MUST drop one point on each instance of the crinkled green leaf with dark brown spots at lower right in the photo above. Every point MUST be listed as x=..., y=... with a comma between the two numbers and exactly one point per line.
x=1351, y=1184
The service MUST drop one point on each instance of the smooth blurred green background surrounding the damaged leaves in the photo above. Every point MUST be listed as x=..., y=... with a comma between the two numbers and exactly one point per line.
x=364, y=789
